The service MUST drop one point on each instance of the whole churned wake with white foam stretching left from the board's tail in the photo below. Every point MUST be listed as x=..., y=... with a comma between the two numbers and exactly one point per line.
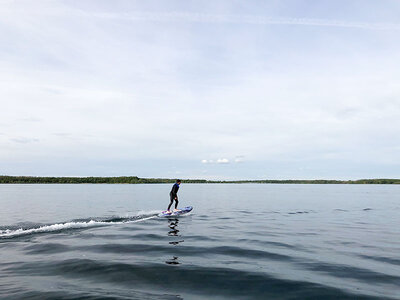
x=14, y=231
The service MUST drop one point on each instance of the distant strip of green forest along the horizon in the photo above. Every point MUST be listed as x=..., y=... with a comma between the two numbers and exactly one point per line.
x=137, y=180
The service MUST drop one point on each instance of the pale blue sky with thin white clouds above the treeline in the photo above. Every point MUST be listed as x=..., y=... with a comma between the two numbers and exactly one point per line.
x=279, y=89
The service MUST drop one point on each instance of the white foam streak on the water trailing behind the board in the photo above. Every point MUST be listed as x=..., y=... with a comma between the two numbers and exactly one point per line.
x=9, y=233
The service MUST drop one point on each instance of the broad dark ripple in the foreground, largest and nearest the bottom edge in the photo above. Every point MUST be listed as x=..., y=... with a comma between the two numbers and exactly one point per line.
x=225, y=281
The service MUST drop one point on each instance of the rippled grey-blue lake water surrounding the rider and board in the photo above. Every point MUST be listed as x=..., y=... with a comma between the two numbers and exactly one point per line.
x=243, y=241
